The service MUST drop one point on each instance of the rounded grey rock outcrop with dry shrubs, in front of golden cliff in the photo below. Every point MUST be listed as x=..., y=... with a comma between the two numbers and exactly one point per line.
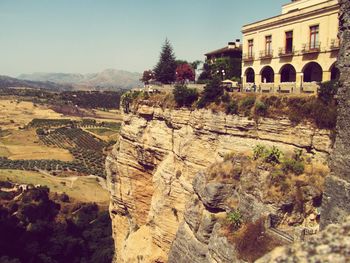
x=240, y=184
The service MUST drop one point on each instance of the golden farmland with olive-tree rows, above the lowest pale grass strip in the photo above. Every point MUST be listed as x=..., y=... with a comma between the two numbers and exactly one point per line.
x=35, y=138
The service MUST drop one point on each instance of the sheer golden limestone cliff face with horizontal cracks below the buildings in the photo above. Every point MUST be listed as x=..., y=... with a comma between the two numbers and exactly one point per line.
x=151, y=169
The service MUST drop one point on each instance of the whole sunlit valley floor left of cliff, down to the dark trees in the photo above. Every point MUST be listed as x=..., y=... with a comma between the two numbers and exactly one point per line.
x=64, y=151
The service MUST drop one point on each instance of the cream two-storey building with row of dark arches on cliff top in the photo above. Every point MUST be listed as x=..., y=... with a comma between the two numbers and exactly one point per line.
x=294, y=51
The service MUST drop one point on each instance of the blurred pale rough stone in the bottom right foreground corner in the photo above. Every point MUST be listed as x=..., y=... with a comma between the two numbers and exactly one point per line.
x=331, y=245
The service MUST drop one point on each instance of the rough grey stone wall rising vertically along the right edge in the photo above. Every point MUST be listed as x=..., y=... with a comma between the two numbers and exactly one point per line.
x=336, y=204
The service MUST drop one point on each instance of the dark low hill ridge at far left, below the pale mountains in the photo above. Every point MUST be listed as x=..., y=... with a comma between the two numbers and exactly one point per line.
x=8, y=82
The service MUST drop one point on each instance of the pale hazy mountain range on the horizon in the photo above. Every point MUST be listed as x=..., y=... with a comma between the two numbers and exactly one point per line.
x=110, y=79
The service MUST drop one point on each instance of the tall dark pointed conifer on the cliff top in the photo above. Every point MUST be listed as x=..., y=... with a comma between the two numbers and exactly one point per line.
x=166, y=66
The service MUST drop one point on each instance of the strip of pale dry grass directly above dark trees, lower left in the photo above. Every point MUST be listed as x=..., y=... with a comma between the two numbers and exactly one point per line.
x=83, y=189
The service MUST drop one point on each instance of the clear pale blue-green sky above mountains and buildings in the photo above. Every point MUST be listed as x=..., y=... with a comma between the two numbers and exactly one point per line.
x=87, y=36
